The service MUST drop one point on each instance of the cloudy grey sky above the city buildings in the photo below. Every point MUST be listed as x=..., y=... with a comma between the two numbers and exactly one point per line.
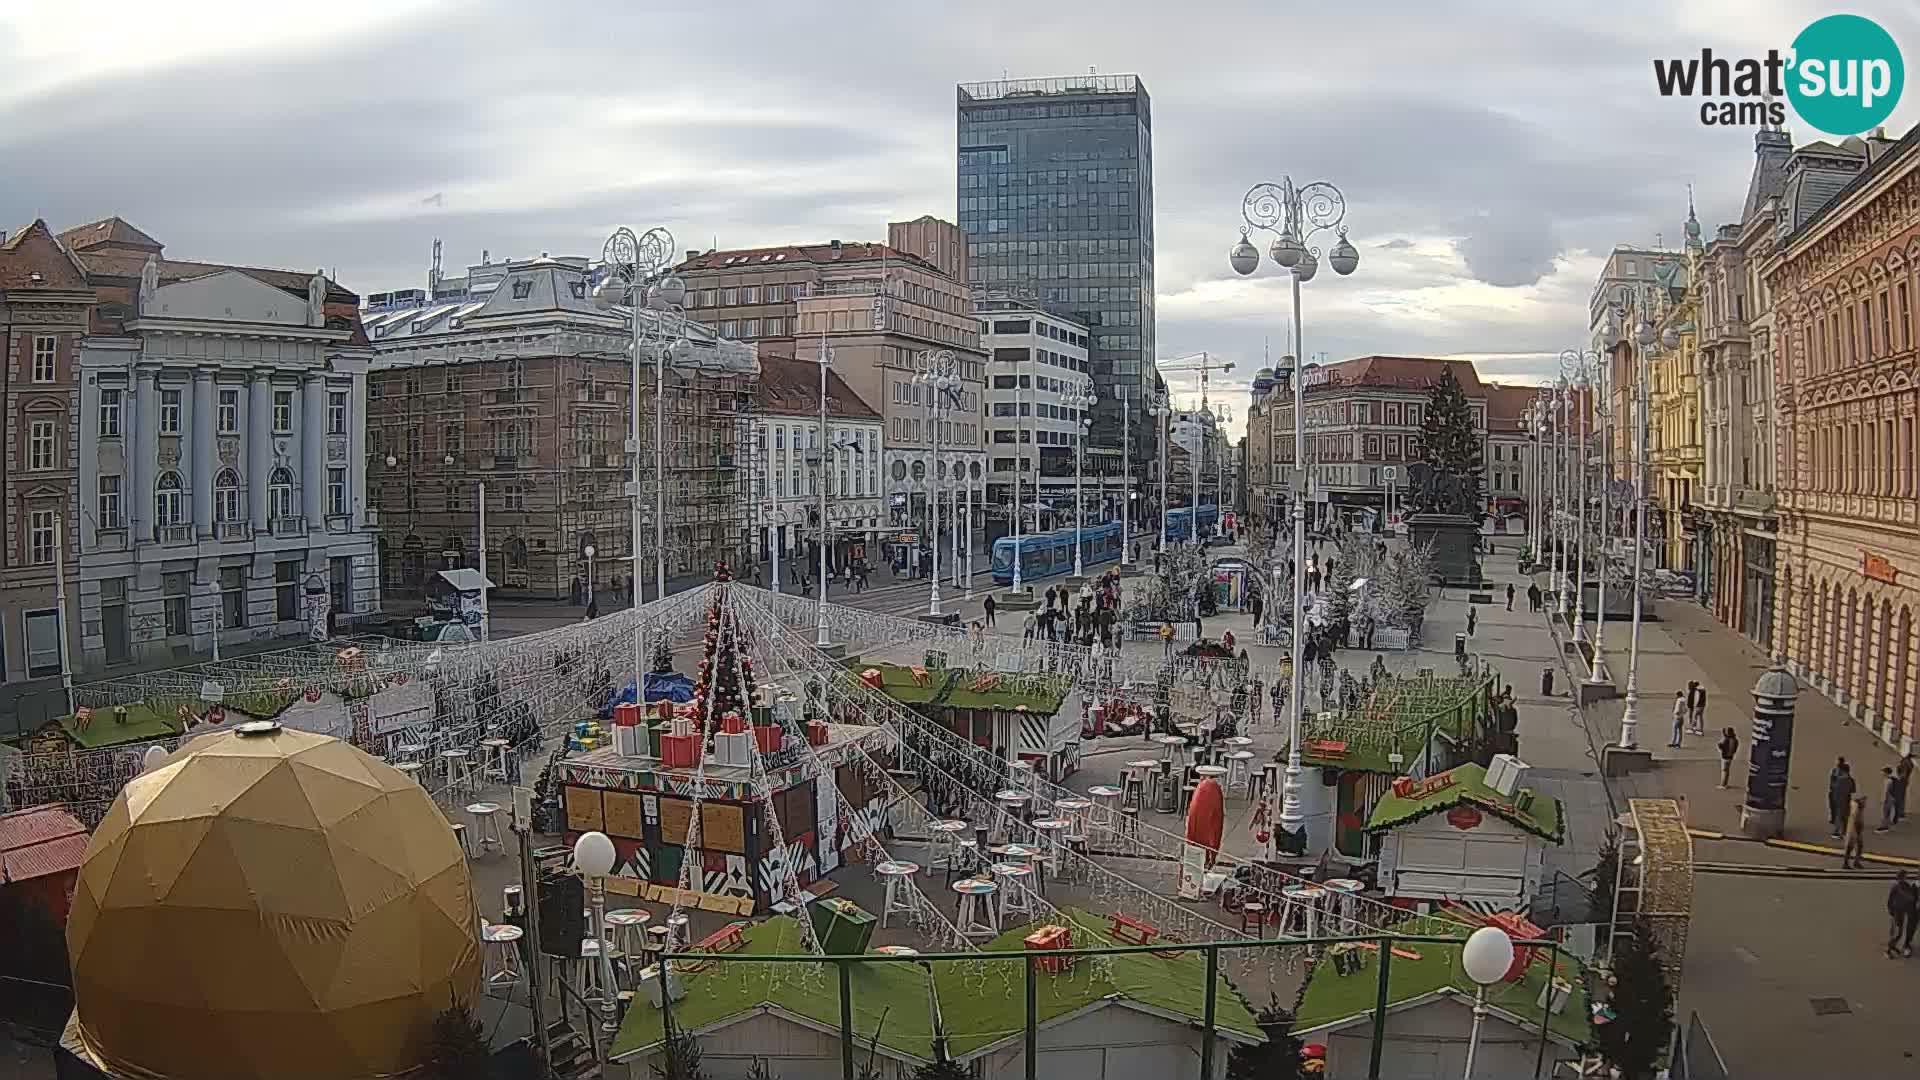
x=1491, y=151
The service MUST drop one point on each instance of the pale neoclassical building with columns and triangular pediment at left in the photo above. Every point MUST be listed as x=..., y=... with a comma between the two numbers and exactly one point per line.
x=222, y=464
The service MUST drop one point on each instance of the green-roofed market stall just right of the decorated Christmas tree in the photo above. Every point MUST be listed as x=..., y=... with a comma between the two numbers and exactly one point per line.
x=1017, y=716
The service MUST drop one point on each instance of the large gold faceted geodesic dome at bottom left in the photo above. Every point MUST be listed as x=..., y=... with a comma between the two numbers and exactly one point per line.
x=270, y=904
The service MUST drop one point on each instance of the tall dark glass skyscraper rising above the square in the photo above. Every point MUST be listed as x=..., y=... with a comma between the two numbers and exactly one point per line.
x=1057, y=203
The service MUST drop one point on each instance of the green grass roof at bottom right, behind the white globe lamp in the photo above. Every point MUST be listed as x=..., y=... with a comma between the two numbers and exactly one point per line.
x=1332, y=996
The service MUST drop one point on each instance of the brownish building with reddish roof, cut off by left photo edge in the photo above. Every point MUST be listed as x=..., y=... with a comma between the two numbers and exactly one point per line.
x=43, y=316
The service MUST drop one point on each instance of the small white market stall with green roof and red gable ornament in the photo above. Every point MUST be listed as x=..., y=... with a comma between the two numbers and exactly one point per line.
x=1470, y=835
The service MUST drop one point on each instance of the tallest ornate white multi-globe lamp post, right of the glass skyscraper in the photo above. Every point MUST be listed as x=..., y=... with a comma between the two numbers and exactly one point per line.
x=1297, y=214
